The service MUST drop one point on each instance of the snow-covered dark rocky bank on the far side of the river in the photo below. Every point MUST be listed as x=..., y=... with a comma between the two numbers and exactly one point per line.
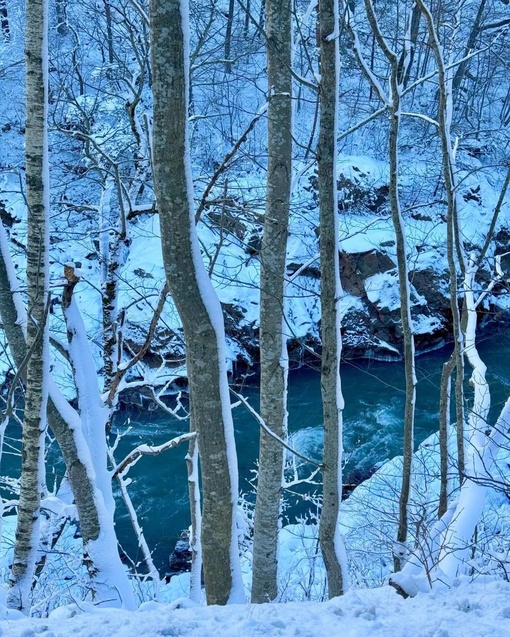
x=230, y=241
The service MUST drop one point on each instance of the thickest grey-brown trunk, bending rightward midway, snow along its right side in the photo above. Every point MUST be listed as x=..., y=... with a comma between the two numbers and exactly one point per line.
x=196, y=301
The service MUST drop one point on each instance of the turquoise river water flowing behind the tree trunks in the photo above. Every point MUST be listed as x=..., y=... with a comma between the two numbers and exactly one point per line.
x=374, y=405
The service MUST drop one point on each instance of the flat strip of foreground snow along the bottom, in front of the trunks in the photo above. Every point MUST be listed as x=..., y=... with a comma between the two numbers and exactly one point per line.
x=474, y=609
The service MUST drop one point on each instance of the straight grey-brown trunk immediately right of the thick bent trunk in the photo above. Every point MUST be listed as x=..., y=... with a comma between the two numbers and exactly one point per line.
x=273, y=346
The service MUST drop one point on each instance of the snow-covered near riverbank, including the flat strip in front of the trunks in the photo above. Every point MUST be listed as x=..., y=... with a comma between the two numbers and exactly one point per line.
x=477, y=603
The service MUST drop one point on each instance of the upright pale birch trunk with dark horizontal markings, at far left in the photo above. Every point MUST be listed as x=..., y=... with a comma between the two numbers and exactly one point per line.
x=34, y=422
